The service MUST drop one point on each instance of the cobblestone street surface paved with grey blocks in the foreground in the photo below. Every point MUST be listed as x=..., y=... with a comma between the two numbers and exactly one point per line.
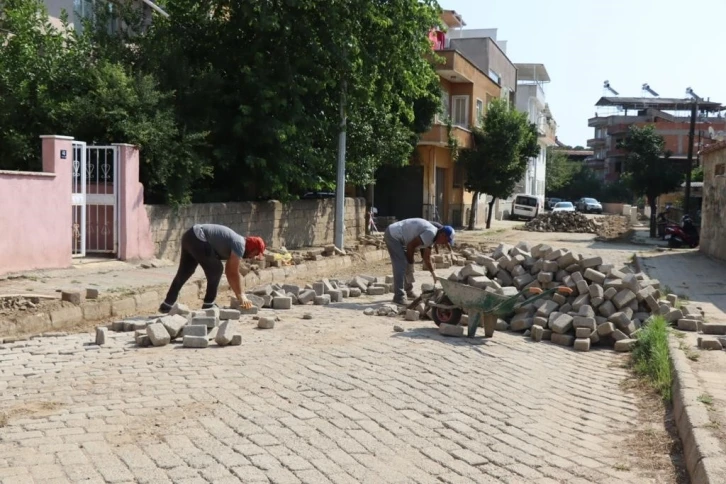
x=338, y=398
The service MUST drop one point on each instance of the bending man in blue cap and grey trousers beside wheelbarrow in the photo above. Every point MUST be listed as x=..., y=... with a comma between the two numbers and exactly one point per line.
x=402, y=239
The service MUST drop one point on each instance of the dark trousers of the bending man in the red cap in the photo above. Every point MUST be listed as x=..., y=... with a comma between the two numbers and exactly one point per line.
x=196, y=252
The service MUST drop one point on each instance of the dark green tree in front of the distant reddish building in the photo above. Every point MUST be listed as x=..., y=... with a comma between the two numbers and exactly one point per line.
x=648, y=172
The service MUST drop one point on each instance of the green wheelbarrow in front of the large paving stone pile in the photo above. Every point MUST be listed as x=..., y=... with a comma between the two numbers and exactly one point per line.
x=482, y=306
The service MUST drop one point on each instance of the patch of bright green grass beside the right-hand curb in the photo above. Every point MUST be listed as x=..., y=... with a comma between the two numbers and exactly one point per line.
x=650, y=357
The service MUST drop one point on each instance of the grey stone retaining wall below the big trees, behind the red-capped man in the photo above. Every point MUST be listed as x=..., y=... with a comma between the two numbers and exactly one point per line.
x=302, y=223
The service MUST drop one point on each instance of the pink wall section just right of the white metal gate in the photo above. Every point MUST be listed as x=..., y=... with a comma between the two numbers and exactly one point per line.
x=135, y=240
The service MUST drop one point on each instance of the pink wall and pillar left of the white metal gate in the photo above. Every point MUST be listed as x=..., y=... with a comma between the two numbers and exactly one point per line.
x=35, y=212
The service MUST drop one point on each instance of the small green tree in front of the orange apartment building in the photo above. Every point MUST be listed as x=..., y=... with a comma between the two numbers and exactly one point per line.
x=502, y=149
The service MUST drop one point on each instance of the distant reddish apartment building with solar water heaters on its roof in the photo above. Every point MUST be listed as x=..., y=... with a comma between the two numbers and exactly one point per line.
x=671, y=118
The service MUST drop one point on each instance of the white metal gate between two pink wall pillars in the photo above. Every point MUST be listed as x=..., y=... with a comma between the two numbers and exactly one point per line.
x=95, y=199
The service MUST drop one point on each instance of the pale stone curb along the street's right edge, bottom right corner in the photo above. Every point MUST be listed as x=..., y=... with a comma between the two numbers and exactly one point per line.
x=705, y=461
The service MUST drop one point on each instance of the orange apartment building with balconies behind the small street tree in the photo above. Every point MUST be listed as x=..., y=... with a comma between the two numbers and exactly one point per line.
x=475, y=71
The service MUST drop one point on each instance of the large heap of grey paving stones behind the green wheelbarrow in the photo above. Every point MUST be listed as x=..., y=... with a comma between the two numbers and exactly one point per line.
x=607, y=305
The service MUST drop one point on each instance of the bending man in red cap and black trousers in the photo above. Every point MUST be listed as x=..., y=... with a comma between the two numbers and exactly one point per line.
x=207, y=245
